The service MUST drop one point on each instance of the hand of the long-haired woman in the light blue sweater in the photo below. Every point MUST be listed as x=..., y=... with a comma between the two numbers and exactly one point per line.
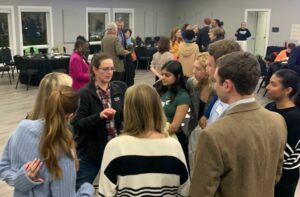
x=32, y=168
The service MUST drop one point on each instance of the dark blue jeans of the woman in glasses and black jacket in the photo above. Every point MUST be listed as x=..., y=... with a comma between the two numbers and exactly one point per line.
x=88, y=170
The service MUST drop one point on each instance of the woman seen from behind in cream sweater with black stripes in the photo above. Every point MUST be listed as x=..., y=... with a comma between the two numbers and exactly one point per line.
x=152, y=163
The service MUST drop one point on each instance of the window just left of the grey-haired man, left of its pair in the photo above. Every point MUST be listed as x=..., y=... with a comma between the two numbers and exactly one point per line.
x=97, y=20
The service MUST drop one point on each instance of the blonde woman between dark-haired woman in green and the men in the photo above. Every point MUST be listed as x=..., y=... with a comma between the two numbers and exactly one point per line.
x=201, y=92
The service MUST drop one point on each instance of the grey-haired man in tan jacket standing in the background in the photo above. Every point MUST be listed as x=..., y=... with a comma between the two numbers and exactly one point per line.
x=111, y=44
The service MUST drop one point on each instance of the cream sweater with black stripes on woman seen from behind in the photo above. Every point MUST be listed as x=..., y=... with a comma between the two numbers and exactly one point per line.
x=143, y=167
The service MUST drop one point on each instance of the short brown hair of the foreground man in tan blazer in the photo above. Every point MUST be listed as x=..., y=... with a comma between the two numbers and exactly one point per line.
x=242, y=68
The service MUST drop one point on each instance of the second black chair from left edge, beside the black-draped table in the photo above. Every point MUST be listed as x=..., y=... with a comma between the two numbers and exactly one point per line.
x=23, y=70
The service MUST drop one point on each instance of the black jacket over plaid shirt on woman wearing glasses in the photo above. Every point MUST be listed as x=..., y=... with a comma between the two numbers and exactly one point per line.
x=89, y=130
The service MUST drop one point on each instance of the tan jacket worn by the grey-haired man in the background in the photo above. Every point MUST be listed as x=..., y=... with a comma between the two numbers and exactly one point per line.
x=111, y=44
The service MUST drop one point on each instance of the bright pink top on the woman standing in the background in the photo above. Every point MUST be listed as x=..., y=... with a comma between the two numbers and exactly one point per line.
x=79, y=71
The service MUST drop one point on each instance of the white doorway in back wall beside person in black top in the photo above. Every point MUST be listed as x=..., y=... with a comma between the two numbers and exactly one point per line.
x=258, y=22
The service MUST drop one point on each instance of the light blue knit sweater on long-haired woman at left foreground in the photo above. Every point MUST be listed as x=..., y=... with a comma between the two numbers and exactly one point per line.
x=22, y=147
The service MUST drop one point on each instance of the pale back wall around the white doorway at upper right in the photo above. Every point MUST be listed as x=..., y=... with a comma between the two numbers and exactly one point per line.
x=283, y=14
